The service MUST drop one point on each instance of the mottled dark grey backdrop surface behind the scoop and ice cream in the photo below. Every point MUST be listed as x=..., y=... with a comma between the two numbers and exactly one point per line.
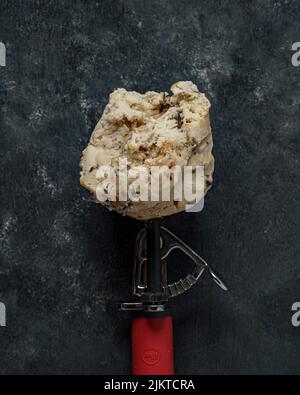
x=65, y=261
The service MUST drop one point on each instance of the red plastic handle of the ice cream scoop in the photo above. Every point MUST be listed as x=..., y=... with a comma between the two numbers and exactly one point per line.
x=152, y=346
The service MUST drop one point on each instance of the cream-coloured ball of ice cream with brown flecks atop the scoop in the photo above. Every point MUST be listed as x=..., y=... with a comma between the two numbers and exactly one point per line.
x=152, y=130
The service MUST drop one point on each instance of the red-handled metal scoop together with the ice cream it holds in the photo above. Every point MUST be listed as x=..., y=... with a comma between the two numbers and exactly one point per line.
x=143, y=133
